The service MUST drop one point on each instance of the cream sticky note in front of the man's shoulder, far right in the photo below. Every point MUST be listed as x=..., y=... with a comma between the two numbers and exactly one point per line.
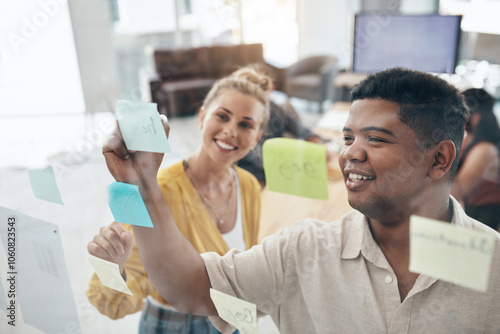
x=451, y=253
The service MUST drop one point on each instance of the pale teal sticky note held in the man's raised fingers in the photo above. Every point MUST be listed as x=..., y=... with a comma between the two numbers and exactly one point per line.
x=141, y=126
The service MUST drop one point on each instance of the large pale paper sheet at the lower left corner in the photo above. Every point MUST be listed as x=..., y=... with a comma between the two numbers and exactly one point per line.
x=45, y=300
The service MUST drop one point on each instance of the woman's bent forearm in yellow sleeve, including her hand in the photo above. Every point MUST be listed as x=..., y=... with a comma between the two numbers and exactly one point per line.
x=115, y=243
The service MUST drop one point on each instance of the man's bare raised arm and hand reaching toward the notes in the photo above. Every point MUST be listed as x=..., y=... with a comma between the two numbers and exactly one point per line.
x=175, y=268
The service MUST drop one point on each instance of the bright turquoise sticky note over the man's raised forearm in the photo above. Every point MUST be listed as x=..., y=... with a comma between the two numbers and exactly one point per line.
x=127, y=206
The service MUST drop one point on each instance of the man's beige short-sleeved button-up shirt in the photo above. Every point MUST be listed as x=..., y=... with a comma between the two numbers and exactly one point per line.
x=320, y=277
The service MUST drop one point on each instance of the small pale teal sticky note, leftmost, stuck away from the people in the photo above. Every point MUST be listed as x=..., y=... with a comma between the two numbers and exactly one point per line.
x=43, y=183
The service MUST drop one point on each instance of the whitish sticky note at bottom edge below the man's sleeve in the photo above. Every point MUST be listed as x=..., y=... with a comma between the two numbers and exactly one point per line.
x=239, y=313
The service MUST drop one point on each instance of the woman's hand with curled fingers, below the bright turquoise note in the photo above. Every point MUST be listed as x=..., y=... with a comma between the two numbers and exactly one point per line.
x=113, y=243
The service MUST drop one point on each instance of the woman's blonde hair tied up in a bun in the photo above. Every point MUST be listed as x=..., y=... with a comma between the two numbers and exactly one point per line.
x=252, y=84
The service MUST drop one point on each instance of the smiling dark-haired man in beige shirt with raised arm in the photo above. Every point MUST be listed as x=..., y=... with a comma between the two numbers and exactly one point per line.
x=402, y=141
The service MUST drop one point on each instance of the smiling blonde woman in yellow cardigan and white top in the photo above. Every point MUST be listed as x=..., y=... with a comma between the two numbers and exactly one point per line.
x=215, y=204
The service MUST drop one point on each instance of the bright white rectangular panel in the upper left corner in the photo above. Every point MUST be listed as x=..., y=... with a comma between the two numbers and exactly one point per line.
x=38, y=65
